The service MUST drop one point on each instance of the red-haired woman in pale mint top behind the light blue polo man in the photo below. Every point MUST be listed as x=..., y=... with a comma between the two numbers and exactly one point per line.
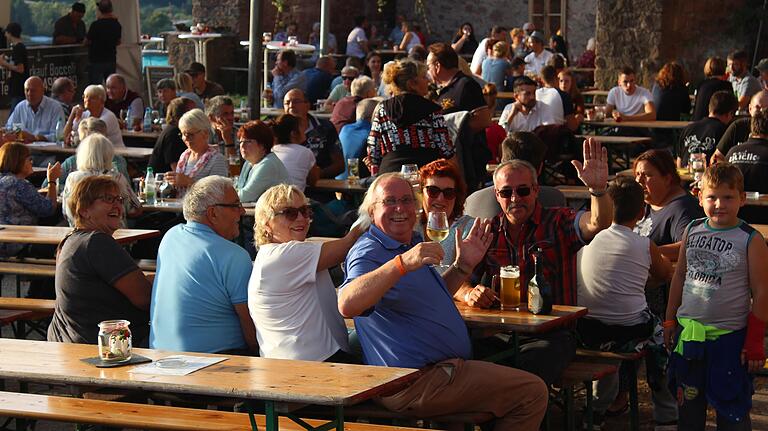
x=262, y=168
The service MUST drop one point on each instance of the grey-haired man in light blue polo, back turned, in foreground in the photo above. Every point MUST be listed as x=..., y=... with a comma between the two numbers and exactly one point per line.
x=200, y=293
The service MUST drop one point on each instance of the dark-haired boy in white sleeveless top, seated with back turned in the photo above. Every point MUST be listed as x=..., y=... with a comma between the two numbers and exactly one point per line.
x=611, y=277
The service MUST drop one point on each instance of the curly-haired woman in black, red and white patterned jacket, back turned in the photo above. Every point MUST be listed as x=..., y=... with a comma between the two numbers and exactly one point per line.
x=407, y=128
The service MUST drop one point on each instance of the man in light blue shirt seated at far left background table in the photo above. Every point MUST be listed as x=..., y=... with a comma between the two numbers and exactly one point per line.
x=37, y=114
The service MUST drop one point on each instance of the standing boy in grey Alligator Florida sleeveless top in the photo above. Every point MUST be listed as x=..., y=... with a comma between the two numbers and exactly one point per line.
x=715, y=320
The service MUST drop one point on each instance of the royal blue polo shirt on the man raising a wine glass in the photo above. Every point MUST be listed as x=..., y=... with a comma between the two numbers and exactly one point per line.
x=416, y=322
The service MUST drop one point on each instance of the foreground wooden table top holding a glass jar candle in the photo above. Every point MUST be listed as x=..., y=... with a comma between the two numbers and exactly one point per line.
x=236, y=377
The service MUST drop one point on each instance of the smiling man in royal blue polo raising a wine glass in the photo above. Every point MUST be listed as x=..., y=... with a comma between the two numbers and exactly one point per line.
x=405, y=317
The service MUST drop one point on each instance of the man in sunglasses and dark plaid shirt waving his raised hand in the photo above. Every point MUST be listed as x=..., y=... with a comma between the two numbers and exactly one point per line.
x=560, y=232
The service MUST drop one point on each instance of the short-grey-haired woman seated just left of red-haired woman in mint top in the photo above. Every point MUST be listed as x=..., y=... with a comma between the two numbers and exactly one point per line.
x=199, y=159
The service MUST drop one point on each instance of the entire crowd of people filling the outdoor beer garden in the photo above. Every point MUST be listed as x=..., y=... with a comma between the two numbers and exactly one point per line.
x=657, y=267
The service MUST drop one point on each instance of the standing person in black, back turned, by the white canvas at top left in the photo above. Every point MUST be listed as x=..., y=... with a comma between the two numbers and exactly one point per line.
x=102, y=39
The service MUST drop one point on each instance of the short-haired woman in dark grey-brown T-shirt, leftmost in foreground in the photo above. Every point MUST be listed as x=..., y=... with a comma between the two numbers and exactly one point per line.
x=96, y=279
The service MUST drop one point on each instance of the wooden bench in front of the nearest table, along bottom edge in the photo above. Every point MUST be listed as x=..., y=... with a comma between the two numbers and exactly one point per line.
x=154, y=417
